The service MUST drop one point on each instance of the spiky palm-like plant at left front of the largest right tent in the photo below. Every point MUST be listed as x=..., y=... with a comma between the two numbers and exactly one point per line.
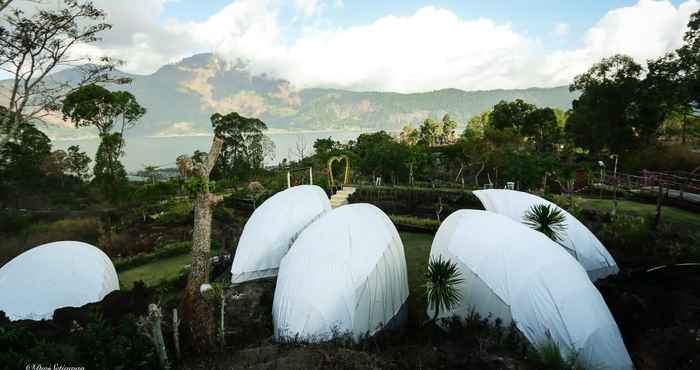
x=441, y=285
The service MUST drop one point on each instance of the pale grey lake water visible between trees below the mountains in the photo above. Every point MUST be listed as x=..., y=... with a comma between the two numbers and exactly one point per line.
x=162, y=151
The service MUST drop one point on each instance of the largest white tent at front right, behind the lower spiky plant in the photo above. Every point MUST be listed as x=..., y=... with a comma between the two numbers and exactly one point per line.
x=519, y=275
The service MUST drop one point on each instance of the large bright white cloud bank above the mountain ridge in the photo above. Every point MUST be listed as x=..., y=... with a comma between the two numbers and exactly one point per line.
x=434, y=48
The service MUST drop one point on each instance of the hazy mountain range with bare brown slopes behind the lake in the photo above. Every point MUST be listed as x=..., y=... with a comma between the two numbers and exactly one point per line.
x=181, y=97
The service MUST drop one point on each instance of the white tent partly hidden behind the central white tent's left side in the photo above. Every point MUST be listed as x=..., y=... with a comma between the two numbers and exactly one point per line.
x=272, y=228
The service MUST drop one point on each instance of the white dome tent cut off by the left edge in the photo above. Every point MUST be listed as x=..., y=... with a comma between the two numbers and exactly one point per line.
x=55, y=275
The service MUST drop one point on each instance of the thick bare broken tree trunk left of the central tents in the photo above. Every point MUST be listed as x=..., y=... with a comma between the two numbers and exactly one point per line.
x=198, y=313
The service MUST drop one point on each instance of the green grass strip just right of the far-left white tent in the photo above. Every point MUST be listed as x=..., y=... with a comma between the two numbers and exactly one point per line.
x=155, y=272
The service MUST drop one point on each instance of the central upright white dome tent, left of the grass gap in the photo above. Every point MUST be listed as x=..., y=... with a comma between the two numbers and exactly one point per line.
x=345, y=275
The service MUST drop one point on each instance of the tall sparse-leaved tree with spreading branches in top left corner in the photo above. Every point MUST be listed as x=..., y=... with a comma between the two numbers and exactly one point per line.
x=31, y=47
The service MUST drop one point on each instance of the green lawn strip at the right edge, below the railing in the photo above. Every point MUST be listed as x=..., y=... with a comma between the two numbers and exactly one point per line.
x=668, y=214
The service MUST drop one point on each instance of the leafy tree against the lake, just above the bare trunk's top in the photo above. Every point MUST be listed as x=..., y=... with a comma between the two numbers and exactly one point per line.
x=245, y=146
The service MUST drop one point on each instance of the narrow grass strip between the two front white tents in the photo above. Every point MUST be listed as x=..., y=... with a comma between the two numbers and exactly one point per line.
x=417, y=250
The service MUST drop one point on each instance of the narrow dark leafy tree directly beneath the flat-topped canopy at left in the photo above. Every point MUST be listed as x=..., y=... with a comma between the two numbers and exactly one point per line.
x=109, y=172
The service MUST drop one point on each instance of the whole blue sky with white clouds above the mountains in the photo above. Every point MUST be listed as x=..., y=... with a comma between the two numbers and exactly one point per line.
x=398, y=45
